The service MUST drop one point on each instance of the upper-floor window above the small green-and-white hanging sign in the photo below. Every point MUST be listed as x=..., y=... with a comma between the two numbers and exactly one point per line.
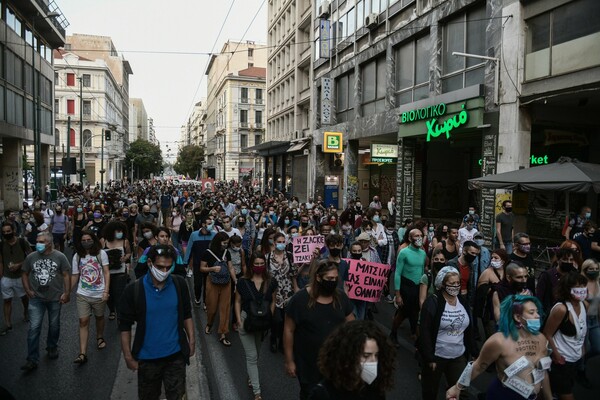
x=374, y=86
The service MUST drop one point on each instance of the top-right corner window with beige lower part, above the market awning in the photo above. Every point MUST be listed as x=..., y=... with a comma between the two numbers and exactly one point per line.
x=555, y=40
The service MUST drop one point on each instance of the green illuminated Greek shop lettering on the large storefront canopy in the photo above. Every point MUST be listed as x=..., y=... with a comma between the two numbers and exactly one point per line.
x=431, y=114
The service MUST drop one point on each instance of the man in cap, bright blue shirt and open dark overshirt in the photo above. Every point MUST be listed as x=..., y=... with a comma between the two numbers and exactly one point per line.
x=164, y=341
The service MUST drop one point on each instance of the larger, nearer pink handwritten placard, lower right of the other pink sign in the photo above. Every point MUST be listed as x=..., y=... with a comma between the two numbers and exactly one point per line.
x=366, y=280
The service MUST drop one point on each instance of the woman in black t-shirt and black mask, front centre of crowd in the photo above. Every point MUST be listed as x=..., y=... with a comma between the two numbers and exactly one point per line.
x=310, y=316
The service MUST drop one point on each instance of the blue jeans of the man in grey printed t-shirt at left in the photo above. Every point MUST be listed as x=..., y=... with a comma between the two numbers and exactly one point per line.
x=37, y=309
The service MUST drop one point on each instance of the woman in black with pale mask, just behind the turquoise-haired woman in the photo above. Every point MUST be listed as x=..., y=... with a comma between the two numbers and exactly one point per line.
x=488, y=281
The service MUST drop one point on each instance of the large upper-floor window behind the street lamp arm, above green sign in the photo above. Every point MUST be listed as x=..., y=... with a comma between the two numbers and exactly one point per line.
x=465, y=34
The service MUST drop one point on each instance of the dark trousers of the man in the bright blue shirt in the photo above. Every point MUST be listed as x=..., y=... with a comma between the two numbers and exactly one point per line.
x=168, y=371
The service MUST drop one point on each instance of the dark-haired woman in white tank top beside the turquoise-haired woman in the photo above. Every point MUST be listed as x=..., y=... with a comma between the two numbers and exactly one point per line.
x=566, y=330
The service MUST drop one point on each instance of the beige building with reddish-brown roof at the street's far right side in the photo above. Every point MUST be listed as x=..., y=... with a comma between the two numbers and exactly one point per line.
x=235, y=112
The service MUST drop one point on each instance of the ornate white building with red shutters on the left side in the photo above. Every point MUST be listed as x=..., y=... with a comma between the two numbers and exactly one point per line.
x=100, y=108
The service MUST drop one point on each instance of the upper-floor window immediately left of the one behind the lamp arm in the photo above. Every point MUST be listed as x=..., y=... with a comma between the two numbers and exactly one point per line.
x=412, y=70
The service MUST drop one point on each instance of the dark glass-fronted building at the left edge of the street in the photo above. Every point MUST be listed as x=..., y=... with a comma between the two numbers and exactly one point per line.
x=29, y=30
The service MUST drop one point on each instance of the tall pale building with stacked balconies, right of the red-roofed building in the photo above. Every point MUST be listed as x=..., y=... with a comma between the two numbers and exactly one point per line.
x=289, y=79
